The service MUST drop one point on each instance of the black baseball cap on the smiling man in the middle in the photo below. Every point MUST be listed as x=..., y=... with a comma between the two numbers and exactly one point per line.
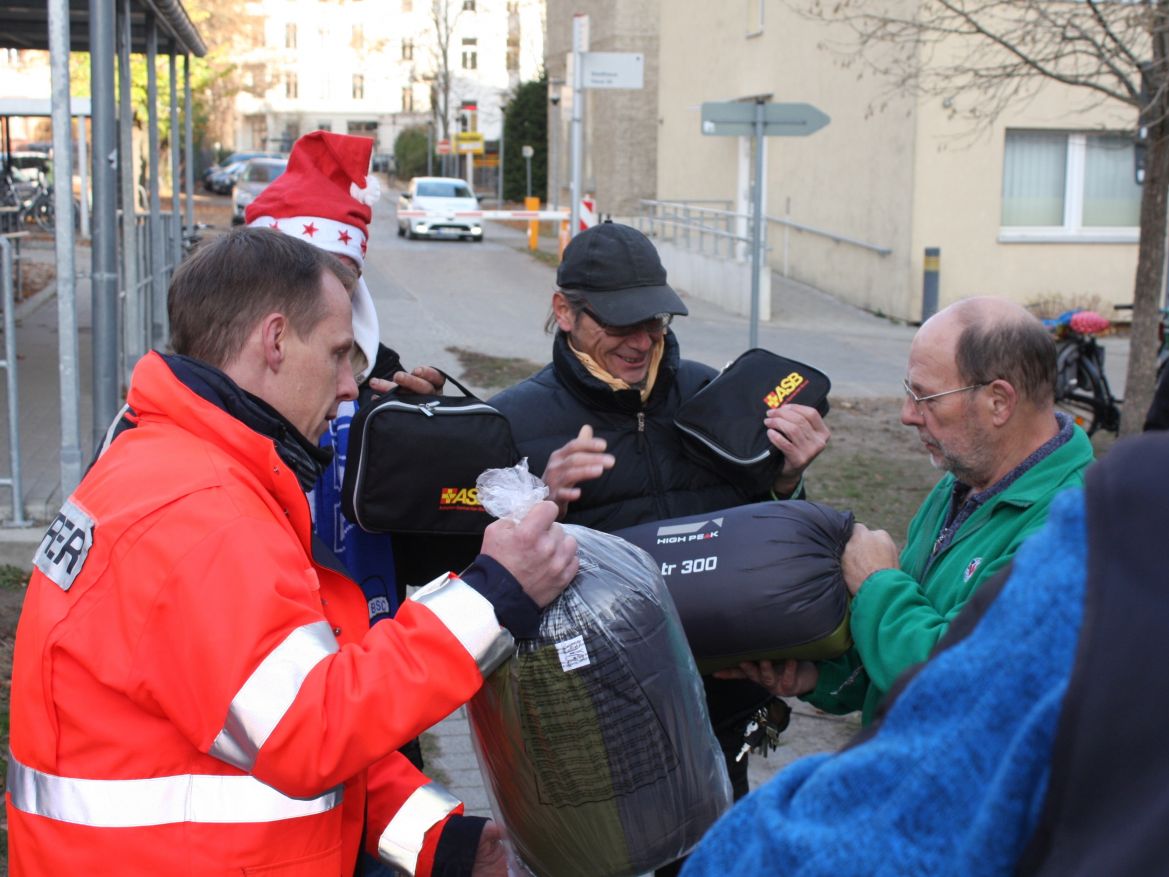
x=619, y=272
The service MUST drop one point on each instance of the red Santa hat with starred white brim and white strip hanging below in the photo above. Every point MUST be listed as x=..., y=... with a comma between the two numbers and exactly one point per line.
x=326, y=198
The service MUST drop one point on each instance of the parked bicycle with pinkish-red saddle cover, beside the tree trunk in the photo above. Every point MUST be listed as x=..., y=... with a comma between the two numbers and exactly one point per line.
x=1082, y=386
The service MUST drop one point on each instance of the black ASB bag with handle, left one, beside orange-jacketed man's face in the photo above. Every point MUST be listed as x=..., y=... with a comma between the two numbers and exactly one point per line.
x=411, y=471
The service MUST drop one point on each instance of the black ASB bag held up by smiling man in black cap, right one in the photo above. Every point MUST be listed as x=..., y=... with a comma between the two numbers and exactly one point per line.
x=723, y=424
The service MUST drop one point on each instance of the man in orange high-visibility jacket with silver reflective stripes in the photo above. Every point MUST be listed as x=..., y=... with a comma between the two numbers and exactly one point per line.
x=192, y=693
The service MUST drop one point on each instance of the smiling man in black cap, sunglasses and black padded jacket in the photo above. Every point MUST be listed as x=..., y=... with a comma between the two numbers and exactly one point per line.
x=599, y=420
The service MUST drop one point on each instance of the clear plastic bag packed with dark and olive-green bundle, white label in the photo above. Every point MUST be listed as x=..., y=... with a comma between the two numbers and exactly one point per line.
x=594, y=740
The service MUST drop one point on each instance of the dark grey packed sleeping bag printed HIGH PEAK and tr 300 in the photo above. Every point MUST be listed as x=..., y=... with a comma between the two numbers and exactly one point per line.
x=756, y=582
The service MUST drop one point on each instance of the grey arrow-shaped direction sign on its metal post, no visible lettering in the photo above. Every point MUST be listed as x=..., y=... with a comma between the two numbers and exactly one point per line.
x=759, y=120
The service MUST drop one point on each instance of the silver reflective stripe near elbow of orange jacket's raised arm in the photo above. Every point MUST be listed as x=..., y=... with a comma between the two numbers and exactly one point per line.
x=269, y=693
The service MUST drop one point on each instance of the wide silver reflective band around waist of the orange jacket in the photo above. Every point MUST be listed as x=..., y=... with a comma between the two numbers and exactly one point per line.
x=158, y=800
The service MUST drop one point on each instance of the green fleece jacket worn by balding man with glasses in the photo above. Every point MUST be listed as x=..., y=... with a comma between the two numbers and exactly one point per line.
x=898, y=616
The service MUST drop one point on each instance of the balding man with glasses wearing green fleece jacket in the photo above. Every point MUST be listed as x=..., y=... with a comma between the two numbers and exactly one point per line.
x=980, y=391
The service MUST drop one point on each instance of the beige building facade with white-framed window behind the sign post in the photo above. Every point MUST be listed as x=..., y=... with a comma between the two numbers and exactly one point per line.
x=1040, y=205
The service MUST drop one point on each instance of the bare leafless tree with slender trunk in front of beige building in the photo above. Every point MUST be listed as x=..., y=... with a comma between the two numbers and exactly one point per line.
x=985, y=56
